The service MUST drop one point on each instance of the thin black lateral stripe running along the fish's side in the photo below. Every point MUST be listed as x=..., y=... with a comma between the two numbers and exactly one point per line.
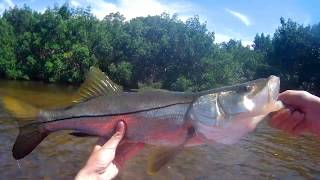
x=117, y=114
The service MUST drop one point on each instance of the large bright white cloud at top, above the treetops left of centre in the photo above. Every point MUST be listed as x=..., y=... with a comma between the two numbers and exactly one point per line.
x=131, y=9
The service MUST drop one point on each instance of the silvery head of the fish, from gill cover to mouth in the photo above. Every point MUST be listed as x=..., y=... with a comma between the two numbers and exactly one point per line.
x=229, y=113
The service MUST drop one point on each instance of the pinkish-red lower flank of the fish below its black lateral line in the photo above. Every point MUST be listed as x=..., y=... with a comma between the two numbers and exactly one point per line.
x=165, y=132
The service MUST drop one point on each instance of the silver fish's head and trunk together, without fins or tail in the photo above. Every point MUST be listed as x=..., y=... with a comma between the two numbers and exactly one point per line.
x=162, y=117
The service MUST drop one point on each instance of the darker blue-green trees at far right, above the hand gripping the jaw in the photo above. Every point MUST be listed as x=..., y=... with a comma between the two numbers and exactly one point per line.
x=294, y=56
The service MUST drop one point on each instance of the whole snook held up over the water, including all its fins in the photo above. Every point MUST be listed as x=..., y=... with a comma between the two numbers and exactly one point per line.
x=156, y=117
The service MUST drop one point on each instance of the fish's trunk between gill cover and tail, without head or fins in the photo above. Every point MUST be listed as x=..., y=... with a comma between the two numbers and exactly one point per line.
x=154, y=117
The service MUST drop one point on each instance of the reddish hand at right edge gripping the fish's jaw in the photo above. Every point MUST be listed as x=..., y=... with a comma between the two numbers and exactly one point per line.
x=300, y=115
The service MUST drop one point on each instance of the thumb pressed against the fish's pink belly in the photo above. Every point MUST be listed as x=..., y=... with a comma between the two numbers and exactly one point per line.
x=114, y=141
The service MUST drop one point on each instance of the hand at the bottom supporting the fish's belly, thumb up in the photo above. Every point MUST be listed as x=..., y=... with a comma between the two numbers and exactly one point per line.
x=108, y=156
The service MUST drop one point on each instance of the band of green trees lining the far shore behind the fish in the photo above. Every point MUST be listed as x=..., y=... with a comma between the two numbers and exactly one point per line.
x=62, y=43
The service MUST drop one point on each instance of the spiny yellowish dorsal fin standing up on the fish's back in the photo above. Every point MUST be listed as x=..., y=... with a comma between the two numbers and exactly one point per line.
x=96, y=84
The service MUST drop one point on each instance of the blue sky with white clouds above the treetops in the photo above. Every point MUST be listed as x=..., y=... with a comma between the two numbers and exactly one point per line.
x=236, y=19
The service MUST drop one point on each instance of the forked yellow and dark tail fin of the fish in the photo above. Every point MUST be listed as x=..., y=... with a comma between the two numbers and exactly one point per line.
x=31, y=131
